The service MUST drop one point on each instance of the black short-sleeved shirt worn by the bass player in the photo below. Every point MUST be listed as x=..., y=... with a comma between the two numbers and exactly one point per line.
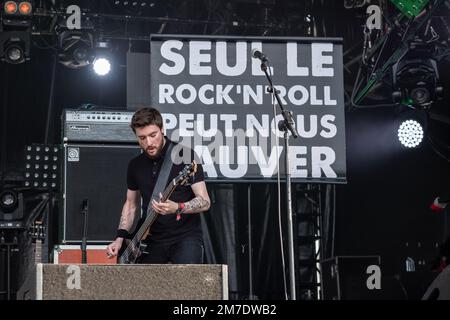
x=142, y=174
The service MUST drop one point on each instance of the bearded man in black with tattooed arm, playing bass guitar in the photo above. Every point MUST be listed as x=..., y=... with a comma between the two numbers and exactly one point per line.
x=175, y=235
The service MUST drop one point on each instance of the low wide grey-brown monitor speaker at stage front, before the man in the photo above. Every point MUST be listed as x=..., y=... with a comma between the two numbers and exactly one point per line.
x=126, y=282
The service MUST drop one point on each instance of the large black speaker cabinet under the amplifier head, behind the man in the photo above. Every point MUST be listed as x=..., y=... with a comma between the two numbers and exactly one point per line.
x=96, y=173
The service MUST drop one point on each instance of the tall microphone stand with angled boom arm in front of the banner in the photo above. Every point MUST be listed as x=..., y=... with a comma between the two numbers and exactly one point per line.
x=286, y=125
